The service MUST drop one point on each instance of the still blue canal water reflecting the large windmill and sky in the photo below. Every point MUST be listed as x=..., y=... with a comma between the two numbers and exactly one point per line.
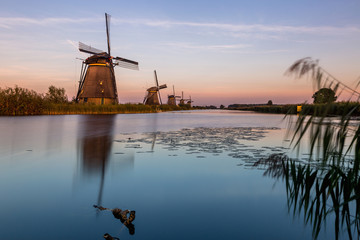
x=187, y=175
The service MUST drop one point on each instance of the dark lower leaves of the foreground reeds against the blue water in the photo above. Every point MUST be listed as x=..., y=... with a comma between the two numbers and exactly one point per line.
x=319, y=194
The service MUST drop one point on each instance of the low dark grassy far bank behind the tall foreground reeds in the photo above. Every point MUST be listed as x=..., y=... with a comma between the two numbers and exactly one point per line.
x=333, y=109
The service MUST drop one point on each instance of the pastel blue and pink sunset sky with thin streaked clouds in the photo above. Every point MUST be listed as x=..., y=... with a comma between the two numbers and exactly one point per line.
x=217, y=52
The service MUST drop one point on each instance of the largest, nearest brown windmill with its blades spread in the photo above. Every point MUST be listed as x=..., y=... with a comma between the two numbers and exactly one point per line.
x=97, y=79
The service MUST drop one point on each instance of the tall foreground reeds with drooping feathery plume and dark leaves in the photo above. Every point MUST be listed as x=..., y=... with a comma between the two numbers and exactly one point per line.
x=329, y=183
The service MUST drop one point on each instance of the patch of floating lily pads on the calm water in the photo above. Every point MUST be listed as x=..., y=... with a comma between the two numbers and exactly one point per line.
x=202, y=142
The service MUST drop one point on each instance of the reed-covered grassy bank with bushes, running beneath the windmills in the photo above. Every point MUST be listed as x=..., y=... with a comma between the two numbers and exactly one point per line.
x=22, y=102
